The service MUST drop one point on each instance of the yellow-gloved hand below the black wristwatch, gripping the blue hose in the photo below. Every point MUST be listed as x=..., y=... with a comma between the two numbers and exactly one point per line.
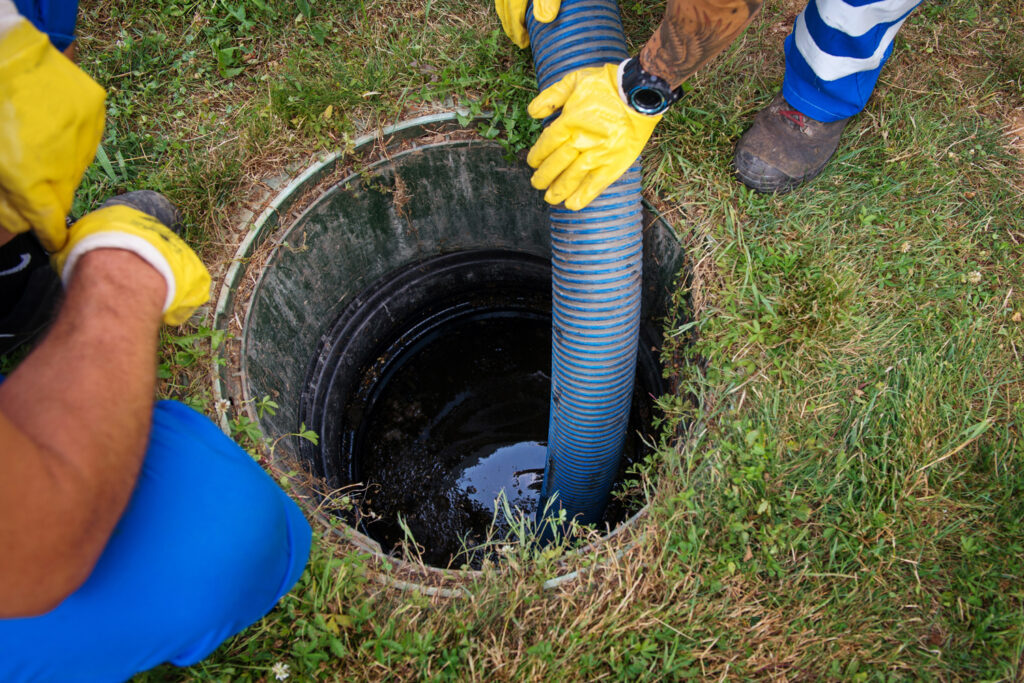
x=592, y=143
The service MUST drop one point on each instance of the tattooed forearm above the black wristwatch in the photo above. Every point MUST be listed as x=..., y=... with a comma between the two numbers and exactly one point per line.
x=694, y=32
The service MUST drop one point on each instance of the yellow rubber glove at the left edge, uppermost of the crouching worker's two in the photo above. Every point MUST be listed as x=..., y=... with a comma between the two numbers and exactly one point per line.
x=51, y=123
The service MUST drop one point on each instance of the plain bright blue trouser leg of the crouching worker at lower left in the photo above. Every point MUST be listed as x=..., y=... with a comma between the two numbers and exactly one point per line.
x=208, y=545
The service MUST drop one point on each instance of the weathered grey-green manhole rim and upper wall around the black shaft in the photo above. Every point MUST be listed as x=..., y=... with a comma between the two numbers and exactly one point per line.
x=285, y=245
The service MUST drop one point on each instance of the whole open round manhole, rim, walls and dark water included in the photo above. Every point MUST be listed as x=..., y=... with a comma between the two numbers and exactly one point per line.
x=405, y=317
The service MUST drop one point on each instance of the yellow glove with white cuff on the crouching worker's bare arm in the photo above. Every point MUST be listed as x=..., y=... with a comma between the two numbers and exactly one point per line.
x=124, y=228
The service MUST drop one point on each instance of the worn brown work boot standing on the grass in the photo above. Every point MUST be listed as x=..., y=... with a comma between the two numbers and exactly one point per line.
x=785, y=149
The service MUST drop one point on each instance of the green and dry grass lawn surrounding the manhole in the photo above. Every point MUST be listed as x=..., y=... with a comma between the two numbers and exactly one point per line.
x=848, y=501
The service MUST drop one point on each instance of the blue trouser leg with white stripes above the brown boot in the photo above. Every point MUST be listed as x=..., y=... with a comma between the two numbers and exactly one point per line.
x=836, y=53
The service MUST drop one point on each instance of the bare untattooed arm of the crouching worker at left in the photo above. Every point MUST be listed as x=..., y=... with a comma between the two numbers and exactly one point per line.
x=78, y=410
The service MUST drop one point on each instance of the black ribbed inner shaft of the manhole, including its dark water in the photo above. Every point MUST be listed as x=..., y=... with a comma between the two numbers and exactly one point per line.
x=431, y=394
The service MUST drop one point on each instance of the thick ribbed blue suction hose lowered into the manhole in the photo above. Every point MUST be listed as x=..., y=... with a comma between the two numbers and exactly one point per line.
x=596, y=269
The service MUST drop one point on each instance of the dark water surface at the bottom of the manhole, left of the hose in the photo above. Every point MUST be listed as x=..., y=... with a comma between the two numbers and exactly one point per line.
x=461, y=417
